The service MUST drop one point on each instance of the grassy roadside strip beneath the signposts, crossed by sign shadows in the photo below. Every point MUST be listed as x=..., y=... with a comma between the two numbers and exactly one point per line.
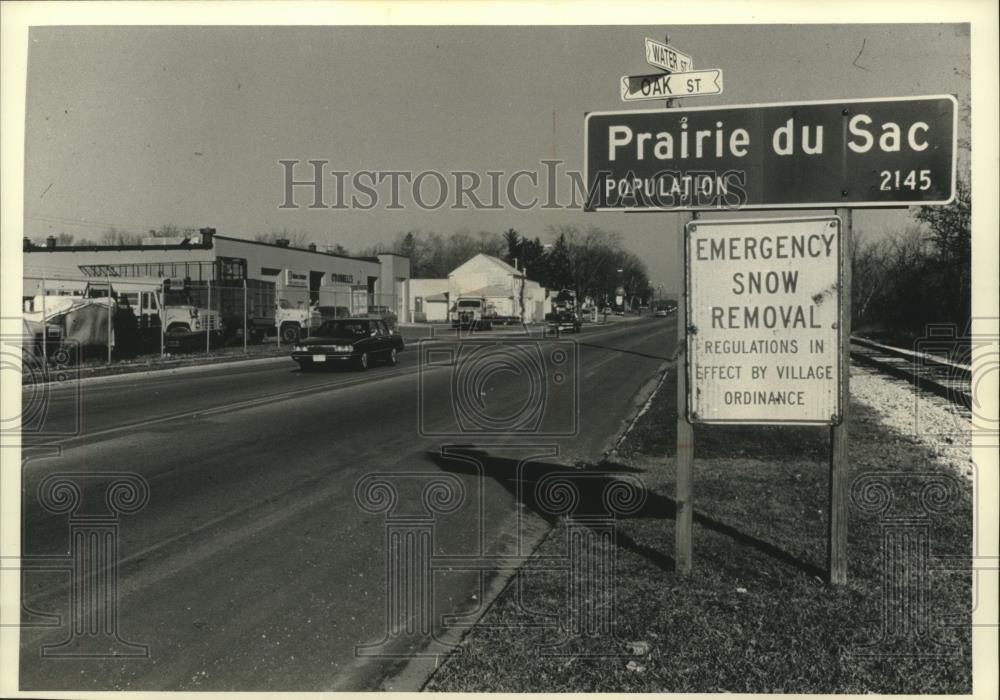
x=756, y=615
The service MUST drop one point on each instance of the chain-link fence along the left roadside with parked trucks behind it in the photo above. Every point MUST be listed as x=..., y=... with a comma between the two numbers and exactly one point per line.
x=119, y=317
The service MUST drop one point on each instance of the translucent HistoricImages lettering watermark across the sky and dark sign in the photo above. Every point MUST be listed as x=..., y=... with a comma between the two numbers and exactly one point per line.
x=312, y=184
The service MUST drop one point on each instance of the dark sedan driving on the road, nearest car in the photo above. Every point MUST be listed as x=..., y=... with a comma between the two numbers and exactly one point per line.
x=359, y=342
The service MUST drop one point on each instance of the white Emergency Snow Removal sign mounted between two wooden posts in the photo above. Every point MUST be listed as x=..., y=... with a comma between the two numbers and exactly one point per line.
x=764, y=321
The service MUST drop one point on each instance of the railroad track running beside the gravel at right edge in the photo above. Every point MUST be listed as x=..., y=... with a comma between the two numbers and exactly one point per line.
x=949, y=380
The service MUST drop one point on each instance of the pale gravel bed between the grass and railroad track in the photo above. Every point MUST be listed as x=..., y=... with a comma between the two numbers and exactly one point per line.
x=941, y=427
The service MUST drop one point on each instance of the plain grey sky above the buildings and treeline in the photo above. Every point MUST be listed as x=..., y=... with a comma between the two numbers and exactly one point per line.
x=137, y=127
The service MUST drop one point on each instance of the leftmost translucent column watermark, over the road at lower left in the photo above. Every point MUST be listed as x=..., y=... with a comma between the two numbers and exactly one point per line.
x=93, y=504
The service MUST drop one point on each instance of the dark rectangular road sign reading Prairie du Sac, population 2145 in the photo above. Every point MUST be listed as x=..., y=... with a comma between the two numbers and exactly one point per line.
x=887, y=152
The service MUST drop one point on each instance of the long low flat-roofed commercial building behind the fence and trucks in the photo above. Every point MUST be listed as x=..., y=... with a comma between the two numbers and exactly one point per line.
x=301, y=275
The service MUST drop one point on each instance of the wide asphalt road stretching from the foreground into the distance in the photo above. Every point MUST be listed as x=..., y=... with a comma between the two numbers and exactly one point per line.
x=253, y=565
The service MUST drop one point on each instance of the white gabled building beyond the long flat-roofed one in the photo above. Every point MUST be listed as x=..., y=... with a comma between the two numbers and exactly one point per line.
x=505, y=288
